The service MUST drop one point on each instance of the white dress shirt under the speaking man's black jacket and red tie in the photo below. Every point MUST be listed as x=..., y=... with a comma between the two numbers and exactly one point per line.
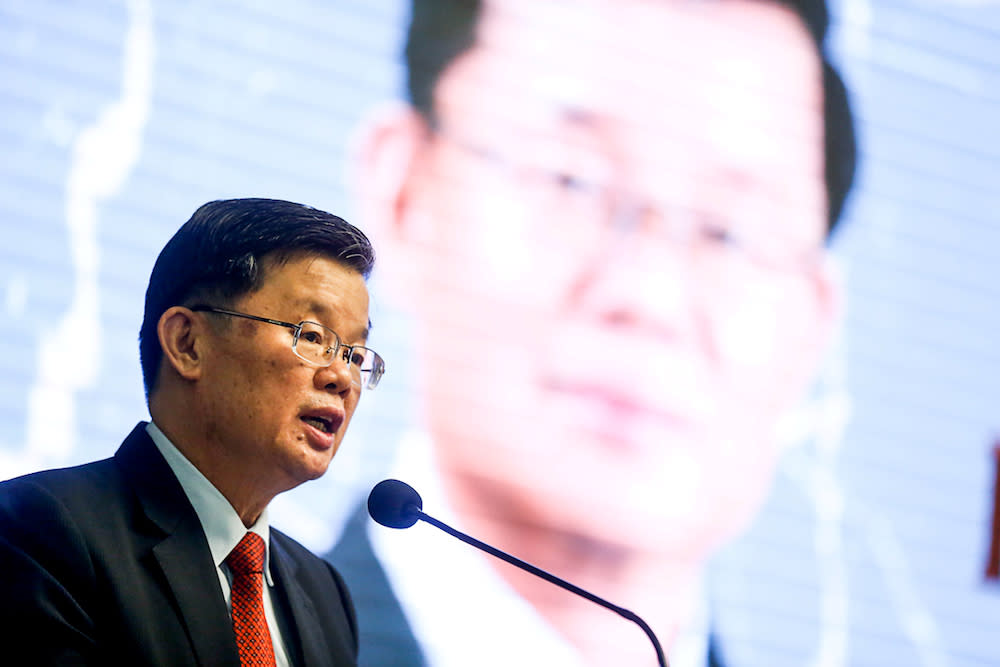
x=223, y=529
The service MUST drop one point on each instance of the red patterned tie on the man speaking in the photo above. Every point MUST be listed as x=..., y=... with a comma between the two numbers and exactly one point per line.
x=249, y=623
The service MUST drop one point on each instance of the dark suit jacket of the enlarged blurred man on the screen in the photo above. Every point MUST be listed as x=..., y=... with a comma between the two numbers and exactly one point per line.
x=386, y=636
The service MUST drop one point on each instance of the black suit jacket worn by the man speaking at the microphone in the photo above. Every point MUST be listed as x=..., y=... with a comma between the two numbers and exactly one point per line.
x=107, y=564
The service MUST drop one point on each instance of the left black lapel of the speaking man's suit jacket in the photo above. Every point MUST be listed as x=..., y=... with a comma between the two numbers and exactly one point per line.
x=183, y=554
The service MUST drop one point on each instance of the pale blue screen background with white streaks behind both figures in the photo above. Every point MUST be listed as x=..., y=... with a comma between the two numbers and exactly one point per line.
x=119, y=119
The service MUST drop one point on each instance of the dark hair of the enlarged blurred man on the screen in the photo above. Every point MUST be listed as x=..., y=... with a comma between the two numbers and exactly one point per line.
x=442, y=30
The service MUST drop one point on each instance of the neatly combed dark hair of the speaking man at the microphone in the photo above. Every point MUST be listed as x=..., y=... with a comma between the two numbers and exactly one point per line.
x=218, y=255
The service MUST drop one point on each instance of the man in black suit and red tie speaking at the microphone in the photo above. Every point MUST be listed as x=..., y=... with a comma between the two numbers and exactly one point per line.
x=254, y=360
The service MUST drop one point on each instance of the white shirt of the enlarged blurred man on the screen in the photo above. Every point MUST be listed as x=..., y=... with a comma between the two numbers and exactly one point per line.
x=435, y=576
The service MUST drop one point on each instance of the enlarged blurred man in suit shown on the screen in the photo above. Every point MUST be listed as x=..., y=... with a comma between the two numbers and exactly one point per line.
x=607, y=221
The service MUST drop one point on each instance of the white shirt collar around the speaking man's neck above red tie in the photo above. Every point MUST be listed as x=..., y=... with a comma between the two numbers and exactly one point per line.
x=222, y=525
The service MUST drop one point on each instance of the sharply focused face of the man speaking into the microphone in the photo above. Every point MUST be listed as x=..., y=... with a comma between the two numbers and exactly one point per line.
x=272, y=414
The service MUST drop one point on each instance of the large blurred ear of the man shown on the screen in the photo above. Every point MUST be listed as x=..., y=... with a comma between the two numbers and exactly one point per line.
x=391, y=152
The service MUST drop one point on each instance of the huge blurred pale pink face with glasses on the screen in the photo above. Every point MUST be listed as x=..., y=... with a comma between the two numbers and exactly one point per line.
x=611, y=242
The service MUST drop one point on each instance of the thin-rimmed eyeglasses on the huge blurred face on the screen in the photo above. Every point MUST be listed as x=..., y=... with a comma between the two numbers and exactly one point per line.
x=585, y=196
